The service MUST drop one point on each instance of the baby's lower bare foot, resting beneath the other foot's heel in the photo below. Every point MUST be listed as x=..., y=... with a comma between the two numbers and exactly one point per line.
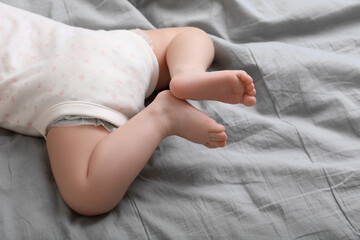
x=184, y=120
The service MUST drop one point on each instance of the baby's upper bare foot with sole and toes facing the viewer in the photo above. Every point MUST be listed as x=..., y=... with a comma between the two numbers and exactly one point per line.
x=233, y=87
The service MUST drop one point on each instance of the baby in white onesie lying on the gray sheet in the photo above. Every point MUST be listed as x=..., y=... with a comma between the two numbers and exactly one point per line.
x=84, y=91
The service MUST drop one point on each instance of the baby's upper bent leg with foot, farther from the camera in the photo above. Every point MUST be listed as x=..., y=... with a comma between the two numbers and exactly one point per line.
x=188, y=55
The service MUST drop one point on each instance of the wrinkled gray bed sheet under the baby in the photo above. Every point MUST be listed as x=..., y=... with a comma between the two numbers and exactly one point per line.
x=291, y=169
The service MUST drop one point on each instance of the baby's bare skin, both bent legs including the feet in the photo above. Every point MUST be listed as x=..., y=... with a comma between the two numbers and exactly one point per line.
x=94, y=168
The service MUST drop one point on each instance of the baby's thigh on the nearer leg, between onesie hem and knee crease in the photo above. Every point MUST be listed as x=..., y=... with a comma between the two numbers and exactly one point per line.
x=70, y=149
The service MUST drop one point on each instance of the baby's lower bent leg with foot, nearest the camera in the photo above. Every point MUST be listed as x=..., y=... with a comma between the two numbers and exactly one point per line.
x=93, y=169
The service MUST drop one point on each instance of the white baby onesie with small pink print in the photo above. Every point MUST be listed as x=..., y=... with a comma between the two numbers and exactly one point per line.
x=49, y=70
